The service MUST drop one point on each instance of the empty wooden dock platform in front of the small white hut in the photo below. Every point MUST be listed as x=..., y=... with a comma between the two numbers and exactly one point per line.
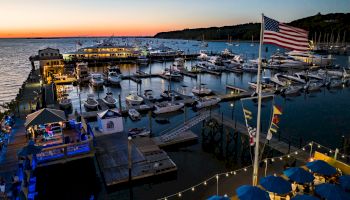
x=148, y=159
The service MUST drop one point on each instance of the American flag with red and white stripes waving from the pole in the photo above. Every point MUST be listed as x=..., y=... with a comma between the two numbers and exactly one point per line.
x=285, y=36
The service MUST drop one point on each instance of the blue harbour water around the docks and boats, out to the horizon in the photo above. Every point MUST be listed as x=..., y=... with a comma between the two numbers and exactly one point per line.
x=322, y=116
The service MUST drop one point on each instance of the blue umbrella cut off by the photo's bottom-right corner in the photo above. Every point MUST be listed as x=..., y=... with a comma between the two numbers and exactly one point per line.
x=331, y=192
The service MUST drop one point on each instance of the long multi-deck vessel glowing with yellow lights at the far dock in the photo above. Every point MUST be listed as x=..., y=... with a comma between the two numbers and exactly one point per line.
x=104, y=51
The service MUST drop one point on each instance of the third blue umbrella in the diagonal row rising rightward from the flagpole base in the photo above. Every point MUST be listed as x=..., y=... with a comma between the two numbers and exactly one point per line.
x=299, y=175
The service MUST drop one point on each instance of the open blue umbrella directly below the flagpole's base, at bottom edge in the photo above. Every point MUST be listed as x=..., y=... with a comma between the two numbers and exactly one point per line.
x=247, y=192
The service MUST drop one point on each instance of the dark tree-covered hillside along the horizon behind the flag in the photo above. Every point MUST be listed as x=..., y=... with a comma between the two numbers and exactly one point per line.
x=330, y=23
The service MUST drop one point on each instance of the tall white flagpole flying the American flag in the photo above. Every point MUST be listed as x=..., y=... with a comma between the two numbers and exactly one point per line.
x=257, y=138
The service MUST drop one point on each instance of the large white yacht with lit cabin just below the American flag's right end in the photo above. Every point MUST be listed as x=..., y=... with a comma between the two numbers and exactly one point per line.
x=310, y=58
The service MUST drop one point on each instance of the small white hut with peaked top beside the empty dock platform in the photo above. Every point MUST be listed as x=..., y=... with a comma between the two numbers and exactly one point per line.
x=110, y=121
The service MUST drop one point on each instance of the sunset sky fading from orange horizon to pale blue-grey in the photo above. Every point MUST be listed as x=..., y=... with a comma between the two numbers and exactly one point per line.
x=60, y=18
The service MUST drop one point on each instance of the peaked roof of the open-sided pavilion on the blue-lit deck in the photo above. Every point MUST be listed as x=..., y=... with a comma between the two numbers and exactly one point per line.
x=44, y=116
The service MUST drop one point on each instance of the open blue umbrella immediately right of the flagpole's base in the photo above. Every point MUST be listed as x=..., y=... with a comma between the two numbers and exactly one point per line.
x=276, y=184
